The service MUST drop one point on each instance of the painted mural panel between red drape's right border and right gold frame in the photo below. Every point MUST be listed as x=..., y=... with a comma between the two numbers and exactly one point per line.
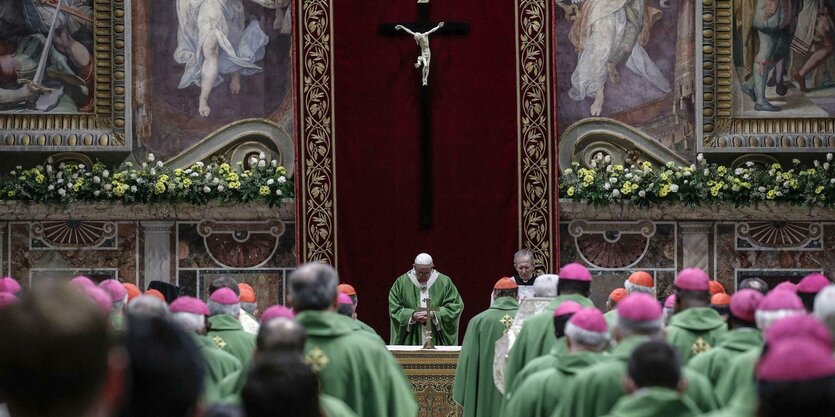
x=630, y=61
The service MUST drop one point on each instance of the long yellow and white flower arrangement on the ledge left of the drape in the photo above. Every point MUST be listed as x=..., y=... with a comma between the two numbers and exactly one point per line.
x=150, y=182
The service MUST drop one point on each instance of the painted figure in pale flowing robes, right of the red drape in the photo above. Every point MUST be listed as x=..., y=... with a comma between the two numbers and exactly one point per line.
x=609, y=33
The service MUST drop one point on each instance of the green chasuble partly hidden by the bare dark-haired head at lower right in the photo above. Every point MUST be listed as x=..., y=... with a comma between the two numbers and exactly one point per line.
x=595, y=391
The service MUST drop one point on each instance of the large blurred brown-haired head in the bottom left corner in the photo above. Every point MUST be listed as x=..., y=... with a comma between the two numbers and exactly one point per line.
x=54, y=353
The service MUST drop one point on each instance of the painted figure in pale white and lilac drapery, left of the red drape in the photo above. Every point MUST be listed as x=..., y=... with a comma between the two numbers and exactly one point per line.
x=213, y=39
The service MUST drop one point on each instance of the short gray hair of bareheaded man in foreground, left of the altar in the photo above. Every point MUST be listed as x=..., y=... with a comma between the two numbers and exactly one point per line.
x=313, y=287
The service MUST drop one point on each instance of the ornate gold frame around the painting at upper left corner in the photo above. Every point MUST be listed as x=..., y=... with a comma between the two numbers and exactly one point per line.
x=108, y=127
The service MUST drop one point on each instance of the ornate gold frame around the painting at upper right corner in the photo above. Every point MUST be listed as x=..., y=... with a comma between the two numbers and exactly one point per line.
x=720, y=131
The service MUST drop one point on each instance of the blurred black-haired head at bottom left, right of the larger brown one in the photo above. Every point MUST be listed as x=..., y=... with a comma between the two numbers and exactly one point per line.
x=166, y=369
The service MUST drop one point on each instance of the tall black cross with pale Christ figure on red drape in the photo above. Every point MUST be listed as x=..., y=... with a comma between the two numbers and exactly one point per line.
x=420, y=31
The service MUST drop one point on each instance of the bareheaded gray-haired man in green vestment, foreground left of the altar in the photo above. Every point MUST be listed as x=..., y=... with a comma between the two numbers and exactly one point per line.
x=352, y=365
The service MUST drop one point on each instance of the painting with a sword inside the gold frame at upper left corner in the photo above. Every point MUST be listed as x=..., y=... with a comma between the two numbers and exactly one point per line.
x=68, y=73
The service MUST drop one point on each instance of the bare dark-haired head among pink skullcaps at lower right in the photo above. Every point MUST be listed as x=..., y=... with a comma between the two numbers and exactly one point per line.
x=655, y=364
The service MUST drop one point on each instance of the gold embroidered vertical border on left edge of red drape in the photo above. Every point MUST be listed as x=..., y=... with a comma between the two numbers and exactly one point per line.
x=316, y=179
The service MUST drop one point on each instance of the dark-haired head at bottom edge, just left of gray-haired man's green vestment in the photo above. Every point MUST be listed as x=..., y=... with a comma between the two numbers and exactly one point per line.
x=281, y=382
